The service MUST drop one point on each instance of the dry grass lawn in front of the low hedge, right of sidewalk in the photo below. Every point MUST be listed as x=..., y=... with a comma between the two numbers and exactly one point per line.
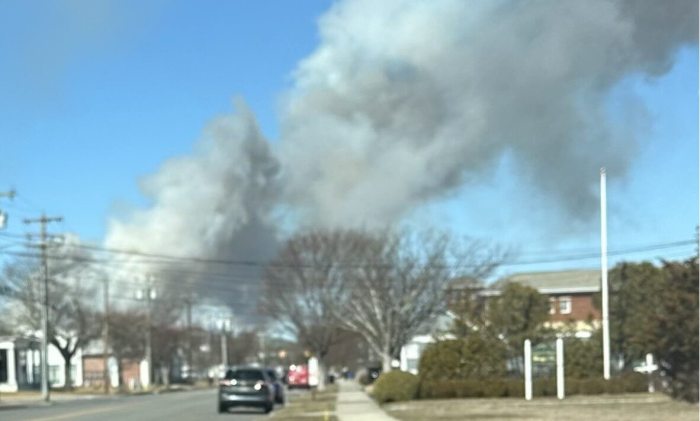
x=638, y=406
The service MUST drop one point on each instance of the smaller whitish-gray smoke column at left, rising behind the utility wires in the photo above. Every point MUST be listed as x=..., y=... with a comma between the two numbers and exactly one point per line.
x=215, y=204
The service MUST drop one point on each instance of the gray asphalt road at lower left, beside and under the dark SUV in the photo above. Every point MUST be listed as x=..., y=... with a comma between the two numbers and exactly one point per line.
x=192, y=405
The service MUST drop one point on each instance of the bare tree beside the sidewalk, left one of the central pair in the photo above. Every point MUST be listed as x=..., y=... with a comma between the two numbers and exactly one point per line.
x=302, y=286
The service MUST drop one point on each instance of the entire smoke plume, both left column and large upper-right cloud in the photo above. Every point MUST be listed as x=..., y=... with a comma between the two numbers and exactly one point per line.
x=404, y=102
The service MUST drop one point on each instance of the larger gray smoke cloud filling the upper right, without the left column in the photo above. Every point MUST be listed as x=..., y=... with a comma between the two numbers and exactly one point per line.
x=405, y=101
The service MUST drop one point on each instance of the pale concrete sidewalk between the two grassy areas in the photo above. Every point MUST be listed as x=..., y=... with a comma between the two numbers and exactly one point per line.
x=354, y=405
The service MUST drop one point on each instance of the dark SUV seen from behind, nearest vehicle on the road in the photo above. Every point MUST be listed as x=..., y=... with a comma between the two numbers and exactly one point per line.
x=246, y=387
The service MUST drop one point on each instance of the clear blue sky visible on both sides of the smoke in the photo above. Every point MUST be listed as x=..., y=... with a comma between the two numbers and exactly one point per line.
x=93, y=99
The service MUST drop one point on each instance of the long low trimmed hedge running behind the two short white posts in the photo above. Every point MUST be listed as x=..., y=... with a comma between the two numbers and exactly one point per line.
x=446, y=389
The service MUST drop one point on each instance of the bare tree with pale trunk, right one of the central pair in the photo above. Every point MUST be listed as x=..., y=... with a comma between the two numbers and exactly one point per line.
x=399, y=284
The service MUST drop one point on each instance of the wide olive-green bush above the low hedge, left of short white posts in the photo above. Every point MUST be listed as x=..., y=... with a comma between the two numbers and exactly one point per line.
x=475, y=357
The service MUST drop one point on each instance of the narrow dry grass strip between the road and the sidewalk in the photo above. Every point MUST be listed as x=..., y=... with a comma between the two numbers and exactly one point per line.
x=304, y=406
